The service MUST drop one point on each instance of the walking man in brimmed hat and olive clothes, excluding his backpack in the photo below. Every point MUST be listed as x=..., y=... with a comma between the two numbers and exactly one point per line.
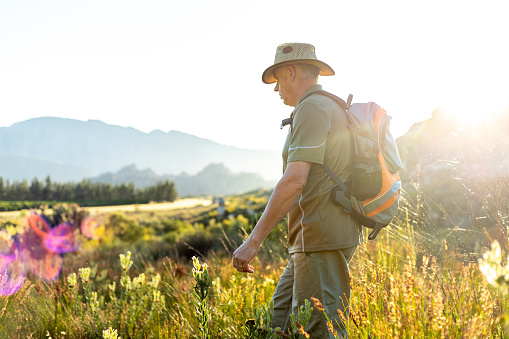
x=322, y=236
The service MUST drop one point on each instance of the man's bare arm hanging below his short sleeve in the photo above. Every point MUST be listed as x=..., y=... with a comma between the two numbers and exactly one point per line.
x=286, y=192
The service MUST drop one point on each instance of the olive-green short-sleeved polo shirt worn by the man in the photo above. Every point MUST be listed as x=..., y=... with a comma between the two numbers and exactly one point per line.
x=319, y=135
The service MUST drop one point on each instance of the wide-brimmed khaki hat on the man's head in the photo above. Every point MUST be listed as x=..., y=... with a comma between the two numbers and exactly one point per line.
x=292, y=54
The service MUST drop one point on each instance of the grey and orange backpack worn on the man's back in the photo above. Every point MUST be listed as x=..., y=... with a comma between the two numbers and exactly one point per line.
x=372, y=196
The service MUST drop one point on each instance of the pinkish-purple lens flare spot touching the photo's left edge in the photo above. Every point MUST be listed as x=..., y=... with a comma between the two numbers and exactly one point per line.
x=12, y=269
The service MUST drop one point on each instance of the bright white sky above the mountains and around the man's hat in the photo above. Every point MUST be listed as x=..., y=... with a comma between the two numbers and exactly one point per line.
x=196, y=66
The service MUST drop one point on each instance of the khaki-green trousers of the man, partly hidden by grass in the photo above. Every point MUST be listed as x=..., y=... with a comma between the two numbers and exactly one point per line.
x=323, y=275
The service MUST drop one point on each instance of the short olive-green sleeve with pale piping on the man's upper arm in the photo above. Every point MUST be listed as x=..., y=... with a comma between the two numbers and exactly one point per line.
x=310, y=129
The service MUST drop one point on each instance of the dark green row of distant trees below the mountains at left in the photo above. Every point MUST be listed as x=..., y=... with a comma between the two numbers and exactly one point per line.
x=85, y=192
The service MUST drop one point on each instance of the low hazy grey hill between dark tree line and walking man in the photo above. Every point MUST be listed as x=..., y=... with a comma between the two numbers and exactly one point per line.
x=215, y=179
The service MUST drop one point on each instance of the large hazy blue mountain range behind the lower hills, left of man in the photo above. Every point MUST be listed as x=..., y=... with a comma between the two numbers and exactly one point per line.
x=70, y=149
